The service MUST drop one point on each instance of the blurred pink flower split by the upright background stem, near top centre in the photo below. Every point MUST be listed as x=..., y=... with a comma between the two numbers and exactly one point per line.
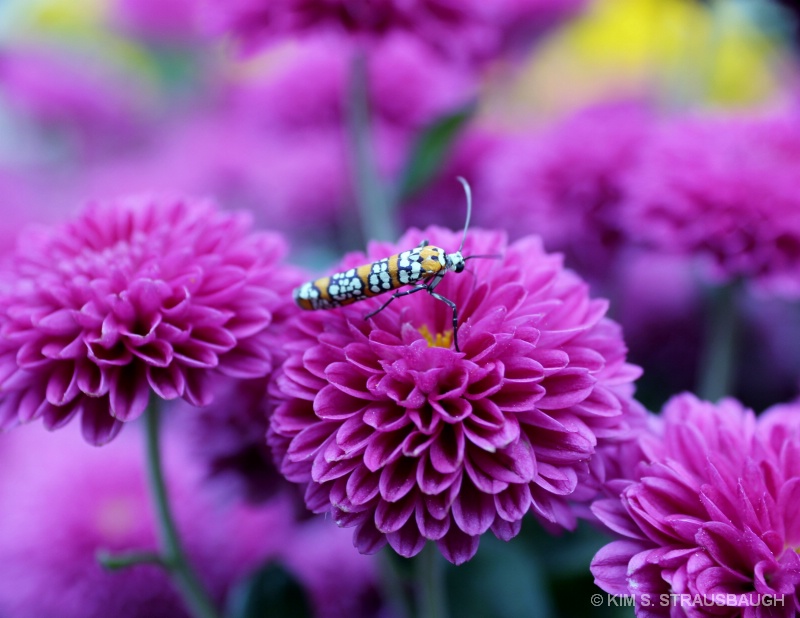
x=409, y=86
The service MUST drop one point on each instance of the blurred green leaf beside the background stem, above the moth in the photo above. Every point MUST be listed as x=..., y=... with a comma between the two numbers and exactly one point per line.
x=431, y=149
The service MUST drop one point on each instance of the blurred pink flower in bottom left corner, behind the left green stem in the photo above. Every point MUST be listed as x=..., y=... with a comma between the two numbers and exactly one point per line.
x=64, y=502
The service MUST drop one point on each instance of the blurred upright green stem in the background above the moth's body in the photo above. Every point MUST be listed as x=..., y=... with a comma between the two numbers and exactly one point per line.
x=375, y=206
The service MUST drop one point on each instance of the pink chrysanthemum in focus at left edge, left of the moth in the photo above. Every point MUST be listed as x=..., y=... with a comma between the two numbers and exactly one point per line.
x=136, y=296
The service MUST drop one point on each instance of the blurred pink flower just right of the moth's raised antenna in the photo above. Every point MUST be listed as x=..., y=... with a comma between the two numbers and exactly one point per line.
x=568, y=183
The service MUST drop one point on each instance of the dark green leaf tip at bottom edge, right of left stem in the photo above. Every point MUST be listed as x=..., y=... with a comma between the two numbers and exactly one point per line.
x=269, y=592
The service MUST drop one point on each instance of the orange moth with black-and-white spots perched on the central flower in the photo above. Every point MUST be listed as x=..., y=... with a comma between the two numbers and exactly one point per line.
x=424, y=267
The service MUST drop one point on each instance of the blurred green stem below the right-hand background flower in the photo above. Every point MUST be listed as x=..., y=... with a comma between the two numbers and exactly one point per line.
x=718, y=359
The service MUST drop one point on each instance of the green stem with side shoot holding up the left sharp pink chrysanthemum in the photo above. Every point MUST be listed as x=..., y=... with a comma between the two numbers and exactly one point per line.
x=173, y=555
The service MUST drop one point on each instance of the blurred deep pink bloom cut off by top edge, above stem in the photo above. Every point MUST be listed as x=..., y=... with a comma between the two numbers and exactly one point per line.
x=463, y=29
